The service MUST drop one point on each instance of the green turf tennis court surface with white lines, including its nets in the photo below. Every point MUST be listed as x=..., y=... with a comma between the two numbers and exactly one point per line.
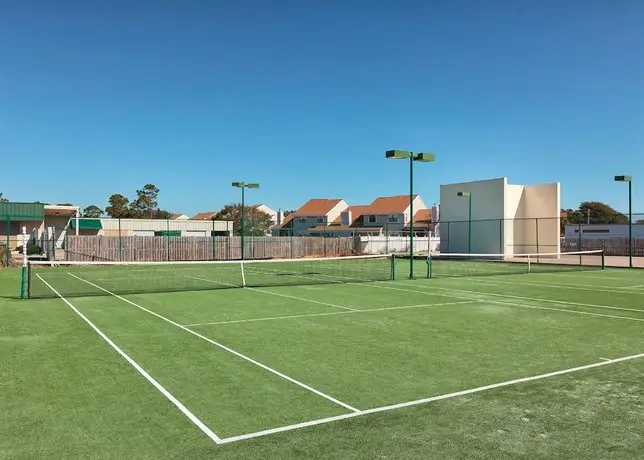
x=319, y=358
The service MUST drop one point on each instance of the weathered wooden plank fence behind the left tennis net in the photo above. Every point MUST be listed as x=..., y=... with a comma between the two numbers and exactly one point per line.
x=164, y=248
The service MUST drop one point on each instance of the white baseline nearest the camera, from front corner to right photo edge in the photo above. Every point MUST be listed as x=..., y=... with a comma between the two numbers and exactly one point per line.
x=428, y=400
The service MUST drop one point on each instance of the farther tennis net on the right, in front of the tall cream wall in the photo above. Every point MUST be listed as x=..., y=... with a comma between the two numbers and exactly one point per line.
x=454, y=265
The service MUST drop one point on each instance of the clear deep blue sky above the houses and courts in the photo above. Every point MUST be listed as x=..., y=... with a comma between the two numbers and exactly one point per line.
x=103, y=97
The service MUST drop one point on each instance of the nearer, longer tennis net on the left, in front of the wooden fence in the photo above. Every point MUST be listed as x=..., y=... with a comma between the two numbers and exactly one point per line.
x=73, y=279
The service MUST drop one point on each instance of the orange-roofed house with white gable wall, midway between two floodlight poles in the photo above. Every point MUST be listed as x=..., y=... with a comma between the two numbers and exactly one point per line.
x=314, y=213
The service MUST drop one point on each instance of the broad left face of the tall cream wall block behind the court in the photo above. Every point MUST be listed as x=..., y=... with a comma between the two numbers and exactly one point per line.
x=488, y=210
